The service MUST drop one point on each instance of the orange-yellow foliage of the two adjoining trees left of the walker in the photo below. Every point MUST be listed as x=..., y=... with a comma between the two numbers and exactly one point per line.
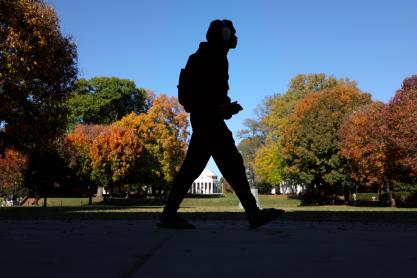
x=145, y=148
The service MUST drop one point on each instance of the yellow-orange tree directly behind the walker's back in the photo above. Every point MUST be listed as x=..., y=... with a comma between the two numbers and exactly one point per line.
x=163, y=131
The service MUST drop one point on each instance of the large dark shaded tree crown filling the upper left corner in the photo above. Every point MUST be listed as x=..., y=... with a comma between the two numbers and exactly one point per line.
x=37, y=70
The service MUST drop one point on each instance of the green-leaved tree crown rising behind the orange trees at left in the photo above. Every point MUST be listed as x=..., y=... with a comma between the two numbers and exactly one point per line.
x=103, y=100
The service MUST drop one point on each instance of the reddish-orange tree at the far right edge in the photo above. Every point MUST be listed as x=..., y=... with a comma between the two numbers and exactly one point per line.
x=380, y=141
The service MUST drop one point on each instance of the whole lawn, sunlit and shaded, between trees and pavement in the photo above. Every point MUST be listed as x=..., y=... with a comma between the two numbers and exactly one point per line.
x=223, y=208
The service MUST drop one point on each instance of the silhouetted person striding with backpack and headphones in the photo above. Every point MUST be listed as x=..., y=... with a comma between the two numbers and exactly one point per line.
x=202, y=91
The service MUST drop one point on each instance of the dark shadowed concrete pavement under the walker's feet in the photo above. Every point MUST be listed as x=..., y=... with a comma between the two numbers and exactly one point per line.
x=215, y=249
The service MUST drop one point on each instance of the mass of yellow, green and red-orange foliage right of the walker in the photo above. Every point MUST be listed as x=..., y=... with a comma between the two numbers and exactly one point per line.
x=326, y=134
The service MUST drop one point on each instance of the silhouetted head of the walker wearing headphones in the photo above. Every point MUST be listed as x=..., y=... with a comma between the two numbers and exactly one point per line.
x=222, y=32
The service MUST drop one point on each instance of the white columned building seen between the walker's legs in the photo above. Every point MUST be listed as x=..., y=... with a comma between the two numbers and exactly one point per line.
x=206, y=184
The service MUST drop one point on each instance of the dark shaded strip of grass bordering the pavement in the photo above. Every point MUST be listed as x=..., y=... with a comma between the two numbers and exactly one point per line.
x=127, y=213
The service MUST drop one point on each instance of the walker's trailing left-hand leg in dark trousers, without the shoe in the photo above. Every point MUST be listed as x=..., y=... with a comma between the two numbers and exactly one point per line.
x=194, y=163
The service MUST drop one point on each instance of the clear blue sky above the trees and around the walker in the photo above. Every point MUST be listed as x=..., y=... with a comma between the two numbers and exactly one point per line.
x=372, y=42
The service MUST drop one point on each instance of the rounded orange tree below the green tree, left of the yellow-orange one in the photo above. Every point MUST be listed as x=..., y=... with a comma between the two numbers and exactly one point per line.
x=103, y=155
